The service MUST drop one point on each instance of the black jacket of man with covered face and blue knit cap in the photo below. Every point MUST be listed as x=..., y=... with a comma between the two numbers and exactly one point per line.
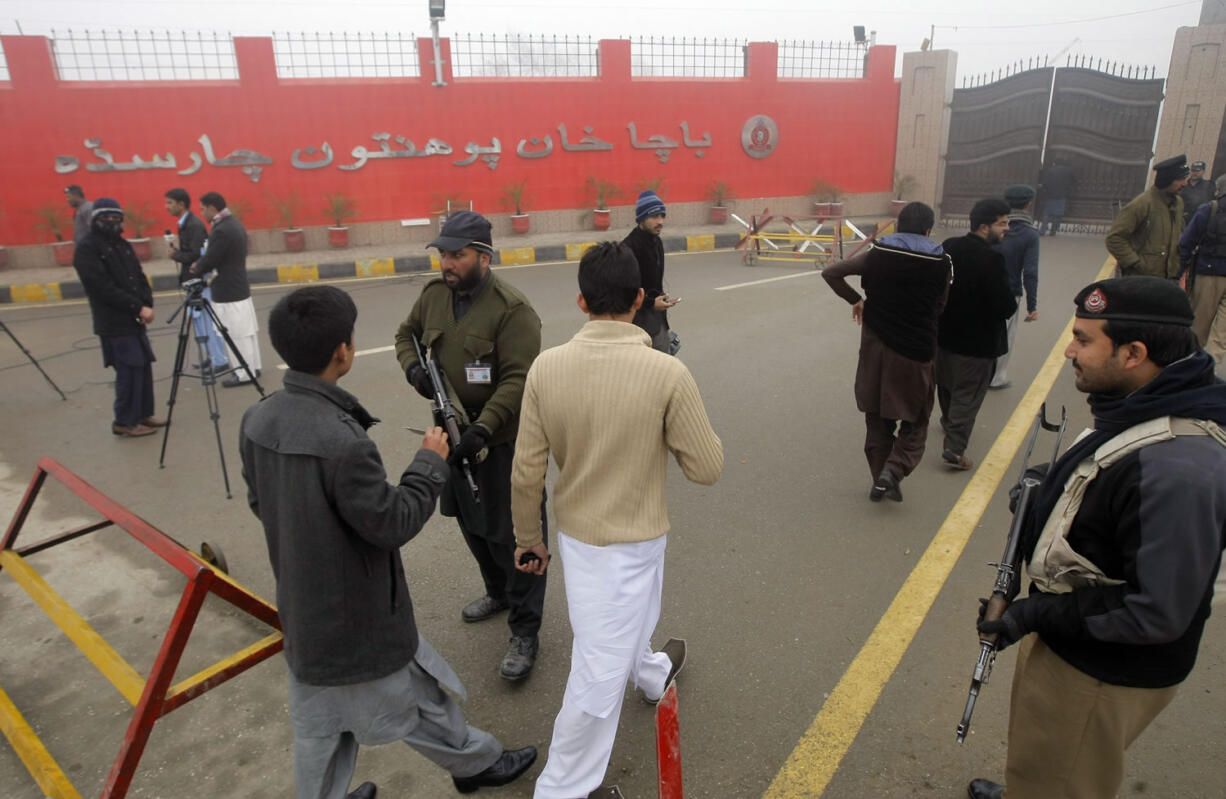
x=115, y=284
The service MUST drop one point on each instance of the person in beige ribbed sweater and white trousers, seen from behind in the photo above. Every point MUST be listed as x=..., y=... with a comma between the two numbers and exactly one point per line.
x=610, y=409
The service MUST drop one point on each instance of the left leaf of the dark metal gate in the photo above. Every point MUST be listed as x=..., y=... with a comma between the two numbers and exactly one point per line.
x=996, y=137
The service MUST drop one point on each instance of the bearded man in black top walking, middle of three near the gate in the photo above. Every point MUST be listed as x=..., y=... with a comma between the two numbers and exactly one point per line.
x=972, y=334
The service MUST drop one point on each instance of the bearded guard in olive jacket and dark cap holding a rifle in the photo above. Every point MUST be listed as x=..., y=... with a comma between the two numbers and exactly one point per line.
x=485, y=335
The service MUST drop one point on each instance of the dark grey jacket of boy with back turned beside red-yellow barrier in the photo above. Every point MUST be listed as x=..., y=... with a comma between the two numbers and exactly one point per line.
x=334, y=528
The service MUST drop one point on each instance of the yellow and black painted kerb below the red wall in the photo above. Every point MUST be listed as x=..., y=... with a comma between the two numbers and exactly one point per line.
x=50, y=285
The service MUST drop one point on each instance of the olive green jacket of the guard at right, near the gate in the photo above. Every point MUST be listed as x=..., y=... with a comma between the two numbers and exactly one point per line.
x=1146, y=236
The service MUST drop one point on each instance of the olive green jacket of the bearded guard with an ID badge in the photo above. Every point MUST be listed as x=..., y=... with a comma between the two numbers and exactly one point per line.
x=501, y=330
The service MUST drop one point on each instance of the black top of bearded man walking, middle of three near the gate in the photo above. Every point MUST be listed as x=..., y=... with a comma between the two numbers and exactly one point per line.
x=980, y=301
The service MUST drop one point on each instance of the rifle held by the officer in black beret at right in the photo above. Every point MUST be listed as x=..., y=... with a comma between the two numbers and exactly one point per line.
x=1008, y=581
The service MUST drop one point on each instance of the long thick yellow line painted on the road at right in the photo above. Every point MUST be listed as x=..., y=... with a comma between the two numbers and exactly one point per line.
x=816, y=759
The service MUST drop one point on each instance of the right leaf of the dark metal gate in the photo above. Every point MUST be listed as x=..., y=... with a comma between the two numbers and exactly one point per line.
x=1103, y=127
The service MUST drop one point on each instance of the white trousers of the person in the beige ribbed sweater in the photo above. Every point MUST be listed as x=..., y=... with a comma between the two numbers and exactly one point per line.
x=614, y=597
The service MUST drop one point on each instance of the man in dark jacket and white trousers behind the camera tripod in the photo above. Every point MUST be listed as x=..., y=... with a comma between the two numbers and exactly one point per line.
x=226, y=256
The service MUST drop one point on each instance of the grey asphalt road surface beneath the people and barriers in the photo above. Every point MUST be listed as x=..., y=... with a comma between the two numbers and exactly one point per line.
x=777, y=577
